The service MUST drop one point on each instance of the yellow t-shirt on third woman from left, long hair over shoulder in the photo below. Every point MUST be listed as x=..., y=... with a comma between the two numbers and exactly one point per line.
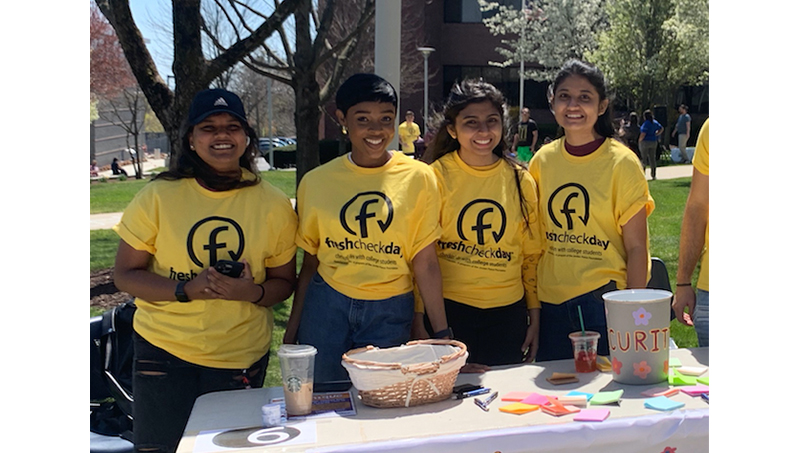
x=486, y=253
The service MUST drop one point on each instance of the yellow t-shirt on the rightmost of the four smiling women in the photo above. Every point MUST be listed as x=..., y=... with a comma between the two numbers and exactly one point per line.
x=584, y=202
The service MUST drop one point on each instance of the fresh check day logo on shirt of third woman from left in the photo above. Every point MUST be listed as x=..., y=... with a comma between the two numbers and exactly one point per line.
x=481, y=225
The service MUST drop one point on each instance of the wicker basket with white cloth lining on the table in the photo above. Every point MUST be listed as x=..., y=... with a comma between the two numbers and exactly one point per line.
x=418, y=372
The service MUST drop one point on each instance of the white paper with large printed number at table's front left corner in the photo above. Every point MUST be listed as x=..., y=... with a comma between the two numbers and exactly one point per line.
x=255, y=437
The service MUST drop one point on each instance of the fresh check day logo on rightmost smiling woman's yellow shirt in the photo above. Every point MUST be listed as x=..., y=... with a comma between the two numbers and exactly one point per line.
x=568, y=208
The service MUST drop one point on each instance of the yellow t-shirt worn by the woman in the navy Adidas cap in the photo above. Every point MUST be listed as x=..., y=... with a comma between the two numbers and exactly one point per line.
x=187, y=229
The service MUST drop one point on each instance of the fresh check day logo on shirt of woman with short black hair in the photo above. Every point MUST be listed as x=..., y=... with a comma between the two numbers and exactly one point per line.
x=363, y=217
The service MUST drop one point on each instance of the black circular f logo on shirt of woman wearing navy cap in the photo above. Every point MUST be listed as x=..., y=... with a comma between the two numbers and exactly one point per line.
x=209, y=240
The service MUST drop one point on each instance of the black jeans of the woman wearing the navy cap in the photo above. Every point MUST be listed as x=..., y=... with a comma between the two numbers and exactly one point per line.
x=164, y=390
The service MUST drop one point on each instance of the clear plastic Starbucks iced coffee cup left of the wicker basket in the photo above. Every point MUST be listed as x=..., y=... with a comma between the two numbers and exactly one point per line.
x=297, y=370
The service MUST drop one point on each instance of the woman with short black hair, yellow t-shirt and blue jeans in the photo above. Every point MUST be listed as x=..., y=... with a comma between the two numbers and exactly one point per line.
x=366, y=219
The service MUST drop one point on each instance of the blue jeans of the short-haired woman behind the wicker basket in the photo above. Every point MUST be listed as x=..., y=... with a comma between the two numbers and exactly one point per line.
x=334, y=323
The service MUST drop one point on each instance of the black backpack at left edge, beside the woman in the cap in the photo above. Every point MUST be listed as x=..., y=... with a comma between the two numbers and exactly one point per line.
x=111, y=371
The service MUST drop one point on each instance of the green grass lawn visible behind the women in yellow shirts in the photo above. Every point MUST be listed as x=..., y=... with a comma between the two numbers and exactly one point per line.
x=664, y=223
